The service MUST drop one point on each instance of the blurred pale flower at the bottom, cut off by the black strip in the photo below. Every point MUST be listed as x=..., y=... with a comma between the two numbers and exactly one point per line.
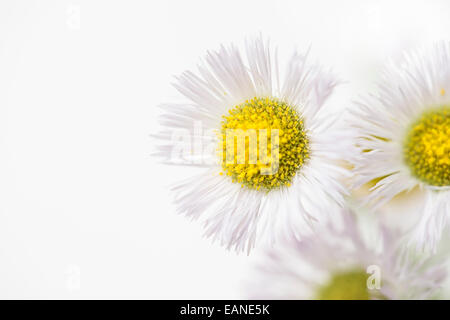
x=357, y=260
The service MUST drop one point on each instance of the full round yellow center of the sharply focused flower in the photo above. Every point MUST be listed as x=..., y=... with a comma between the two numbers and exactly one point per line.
x=263, y=144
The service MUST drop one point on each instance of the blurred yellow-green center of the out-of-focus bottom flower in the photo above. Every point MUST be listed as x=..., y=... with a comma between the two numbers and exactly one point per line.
x=351, y=285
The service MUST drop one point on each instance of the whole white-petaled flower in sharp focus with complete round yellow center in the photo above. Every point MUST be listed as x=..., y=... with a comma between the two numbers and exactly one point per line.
x=288, y=165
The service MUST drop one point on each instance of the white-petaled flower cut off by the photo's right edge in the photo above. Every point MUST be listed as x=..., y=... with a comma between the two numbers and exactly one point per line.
x=404, y=138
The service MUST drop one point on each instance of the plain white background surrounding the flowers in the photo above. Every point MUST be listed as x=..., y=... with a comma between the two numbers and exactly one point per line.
x=84, y=209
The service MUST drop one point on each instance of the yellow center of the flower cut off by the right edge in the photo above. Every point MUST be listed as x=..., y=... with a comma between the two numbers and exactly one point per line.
x=427, y=147
